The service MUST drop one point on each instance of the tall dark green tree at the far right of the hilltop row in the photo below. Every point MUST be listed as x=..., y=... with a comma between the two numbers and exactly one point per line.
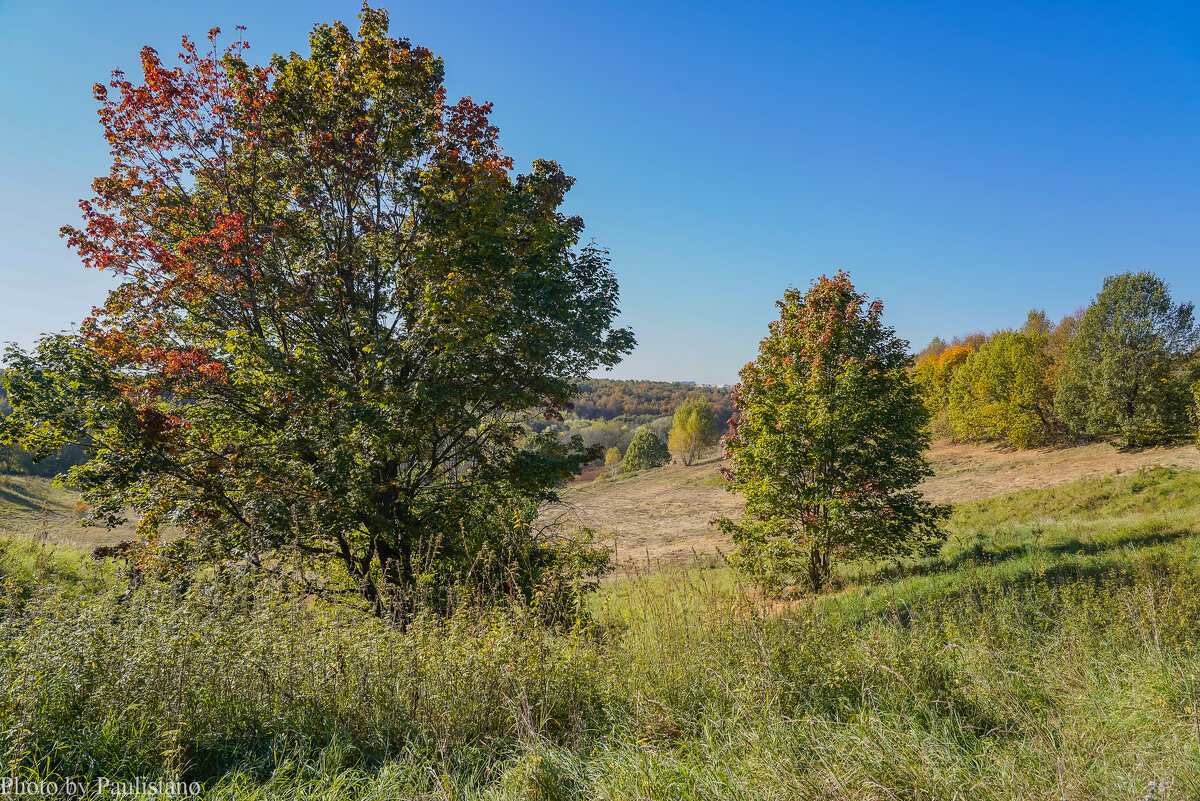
x=1130, y=368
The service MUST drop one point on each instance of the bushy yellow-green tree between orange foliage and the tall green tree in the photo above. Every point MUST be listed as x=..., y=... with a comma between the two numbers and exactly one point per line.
x=1000, y=393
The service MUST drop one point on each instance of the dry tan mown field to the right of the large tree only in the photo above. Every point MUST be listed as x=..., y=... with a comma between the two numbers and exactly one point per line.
x=662, y=517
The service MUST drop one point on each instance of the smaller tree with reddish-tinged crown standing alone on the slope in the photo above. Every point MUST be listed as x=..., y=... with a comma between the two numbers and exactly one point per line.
x=829, y=444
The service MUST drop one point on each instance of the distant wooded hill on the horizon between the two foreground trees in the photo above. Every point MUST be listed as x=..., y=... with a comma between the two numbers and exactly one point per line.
x=611, y=399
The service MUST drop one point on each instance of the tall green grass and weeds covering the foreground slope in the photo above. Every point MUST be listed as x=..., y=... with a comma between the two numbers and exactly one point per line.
x=1049, y=652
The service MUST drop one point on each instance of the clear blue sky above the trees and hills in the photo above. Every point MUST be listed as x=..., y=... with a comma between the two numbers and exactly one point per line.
x=965, y=161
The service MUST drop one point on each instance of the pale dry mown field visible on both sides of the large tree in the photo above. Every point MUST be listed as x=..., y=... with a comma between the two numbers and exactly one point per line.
x=662, y=517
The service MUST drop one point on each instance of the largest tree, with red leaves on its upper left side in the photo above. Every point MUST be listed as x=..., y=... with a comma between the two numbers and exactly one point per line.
x=337, y=306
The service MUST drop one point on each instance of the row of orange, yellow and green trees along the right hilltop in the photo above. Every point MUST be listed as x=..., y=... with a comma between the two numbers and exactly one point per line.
x=1124, y=369
